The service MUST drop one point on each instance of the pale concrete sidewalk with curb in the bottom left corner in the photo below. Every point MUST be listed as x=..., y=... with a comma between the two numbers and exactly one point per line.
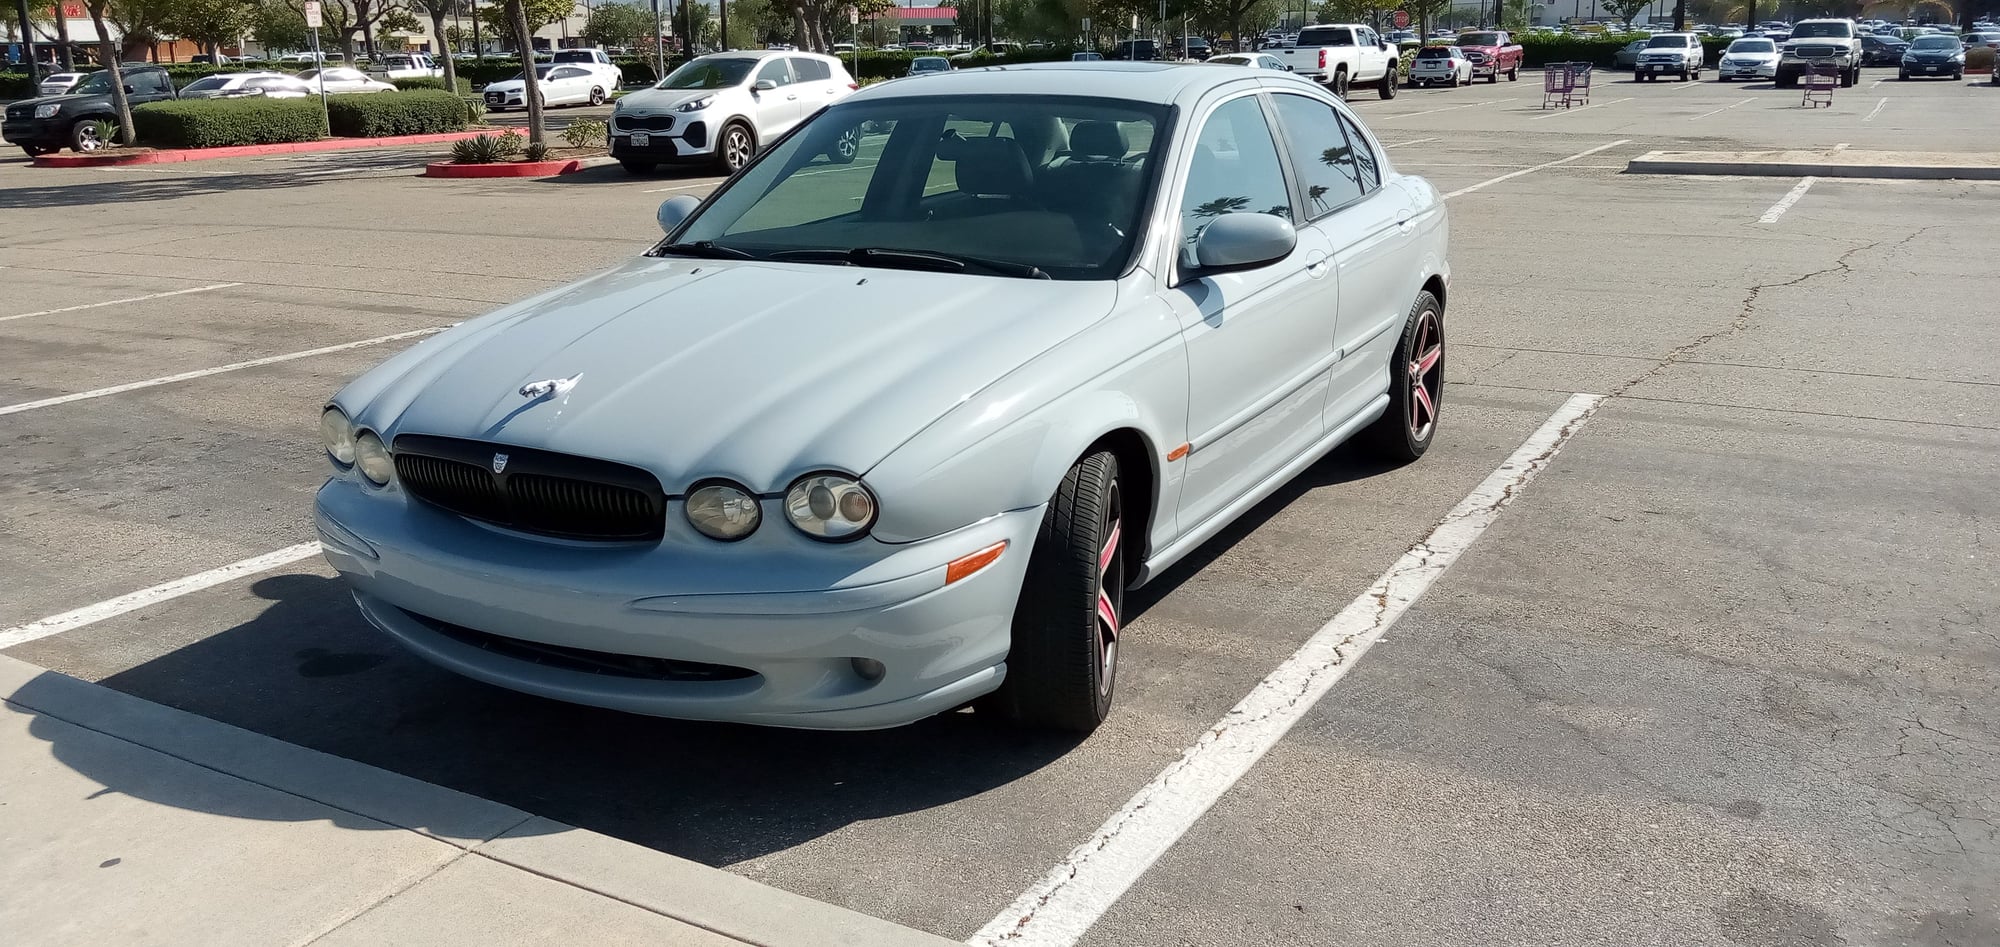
x=127, y=822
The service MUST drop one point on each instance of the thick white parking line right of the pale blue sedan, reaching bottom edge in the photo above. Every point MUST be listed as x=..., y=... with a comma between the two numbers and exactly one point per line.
x=1061, y=908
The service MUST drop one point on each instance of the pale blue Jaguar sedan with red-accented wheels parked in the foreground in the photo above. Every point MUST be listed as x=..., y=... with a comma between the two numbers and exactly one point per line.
x=867, y=443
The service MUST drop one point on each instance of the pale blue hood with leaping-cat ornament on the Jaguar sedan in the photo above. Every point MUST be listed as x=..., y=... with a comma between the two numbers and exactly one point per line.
x=745, y=371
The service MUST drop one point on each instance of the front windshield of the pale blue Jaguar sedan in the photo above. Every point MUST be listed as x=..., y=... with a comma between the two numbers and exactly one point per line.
x=1047, y=183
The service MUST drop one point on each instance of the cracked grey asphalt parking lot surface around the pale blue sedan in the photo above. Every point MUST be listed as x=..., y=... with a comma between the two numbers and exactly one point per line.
x=1725, y=672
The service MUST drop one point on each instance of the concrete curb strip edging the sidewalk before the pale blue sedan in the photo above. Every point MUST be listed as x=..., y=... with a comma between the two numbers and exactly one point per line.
x=681, y=890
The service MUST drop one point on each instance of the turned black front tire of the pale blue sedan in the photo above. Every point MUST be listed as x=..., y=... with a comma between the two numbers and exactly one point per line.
x=1063, y=664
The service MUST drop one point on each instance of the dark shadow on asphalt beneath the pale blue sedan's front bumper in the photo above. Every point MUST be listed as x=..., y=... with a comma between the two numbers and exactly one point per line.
x=309, y=670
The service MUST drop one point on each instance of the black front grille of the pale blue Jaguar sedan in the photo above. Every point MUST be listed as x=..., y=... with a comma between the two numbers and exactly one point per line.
x=533, y=490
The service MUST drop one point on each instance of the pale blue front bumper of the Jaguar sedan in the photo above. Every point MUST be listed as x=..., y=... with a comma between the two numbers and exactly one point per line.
x=475, y=600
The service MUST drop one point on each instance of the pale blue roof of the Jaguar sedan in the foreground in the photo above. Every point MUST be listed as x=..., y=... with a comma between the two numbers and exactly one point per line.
x=1161, y=83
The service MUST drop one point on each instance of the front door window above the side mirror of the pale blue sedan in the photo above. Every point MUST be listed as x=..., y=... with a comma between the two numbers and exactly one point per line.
x=1235, y=171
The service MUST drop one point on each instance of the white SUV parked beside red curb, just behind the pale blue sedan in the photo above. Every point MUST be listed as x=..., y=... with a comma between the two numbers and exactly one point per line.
x=727, y=107
